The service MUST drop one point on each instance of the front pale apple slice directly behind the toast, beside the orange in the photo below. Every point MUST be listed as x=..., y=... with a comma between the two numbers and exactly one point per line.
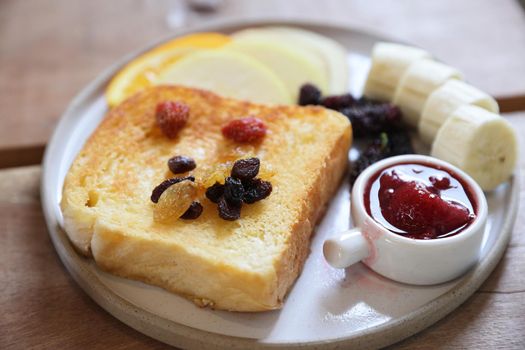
x=228, y=73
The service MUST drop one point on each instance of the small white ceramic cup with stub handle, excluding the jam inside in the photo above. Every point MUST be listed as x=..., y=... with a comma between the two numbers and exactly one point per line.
x=407, y=260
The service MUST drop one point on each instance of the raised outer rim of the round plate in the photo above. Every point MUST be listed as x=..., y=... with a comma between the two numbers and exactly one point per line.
x=180, y=335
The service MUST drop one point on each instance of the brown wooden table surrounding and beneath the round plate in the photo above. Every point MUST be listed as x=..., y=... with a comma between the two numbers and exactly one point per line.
x=49, y=49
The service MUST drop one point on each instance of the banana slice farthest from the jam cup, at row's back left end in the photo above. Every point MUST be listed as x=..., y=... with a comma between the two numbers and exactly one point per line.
x=389, y=62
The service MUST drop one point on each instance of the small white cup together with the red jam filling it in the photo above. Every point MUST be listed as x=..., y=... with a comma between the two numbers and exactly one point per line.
x=418, y=220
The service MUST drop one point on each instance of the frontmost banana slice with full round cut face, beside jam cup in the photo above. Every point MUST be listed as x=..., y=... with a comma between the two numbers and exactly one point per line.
x=481, y=143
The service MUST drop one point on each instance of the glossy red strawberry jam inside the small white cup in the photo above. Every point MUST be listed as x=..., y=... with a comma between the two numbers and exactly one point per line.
x=420, y=201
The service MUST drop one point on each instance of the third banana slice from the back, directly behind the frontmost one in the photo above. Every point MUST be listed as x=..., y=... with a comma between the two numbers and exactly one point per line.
x=445, y=100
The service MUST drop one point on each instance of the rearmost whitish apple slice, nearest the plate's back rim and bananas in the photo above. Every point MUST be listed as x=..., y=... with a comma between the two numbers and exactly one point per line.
x=332, y=54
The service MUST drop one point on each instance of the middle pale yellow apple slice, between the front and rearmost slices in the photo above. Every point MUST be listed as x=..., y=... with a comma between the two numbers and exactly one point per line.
x=295, y=66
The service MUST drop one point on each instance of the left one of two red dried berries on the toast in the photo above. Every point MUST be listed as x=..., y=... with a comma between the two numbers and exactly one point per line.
x=171, y=117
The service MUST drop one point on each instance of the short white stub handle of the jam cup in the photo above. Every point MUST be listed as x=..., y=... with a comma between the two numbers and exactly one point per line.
x=346, y=249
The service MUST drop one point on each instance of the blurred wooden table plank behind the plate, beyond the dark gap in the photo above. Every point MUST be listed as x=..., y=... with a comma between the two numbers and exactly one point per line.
x=50, y=49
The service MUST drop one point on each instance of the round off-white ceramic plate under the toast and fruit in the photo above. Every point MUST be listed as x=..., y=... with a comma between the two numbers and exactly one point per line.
x=326, y=308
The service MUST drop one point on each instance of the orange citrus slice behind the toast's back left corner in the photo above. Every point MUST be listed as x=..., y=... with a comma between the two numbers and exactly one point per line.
x=143, y=71
